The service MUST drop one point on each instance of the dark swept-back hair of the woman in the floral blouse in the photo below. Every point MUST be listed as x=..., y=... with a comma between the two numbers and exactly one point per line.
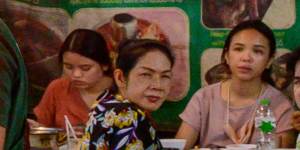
x=130, y=51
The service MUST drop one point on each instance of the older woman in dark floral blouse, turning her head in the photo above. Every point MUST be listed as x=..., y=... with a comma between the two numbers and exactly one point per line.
x=143, y=80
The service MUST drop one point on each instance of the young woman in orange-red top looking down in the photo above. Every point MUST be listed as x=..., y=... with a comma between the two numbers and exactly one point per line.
x=87, y=72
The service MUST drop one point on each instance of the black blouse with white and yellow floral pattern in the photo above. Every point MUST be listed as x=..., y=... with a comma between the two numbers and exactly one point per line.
x=115, y=124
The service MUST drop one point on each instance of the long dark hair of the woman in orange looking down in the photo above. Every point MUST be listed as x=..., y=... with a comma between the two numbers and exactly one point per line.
x=90, y=44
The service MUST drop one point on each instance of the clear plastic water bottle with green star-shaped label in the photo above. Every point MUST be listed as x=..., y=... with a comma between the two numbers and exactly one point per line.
x=265, y=122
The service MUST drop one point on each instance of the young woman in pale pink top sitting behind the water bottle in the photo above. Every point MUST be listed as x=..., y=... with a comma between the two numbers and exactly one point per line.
x=223, y=113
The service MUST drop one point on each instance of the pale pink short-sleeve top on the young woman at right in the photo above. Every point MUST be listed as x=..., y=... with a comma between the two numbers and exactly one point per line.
x=206, y=113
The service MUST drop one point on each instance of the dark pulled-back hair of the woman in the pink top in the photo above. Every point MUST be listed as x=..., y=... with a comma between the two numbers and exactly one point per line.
x=260, y=27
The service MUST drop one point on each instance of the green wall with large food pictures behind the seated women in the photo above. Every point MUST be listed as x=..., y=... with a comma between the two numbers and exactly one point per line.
x=195, y=29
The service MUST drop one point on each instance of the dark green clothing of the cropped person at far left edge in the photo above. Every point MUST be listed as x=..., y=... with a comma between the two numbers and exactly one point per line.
x=13, y=91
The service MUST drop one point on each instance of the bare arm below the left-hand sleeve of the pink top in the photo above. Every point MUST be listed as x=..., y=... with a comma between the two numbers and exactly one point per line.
x=189, y=133
